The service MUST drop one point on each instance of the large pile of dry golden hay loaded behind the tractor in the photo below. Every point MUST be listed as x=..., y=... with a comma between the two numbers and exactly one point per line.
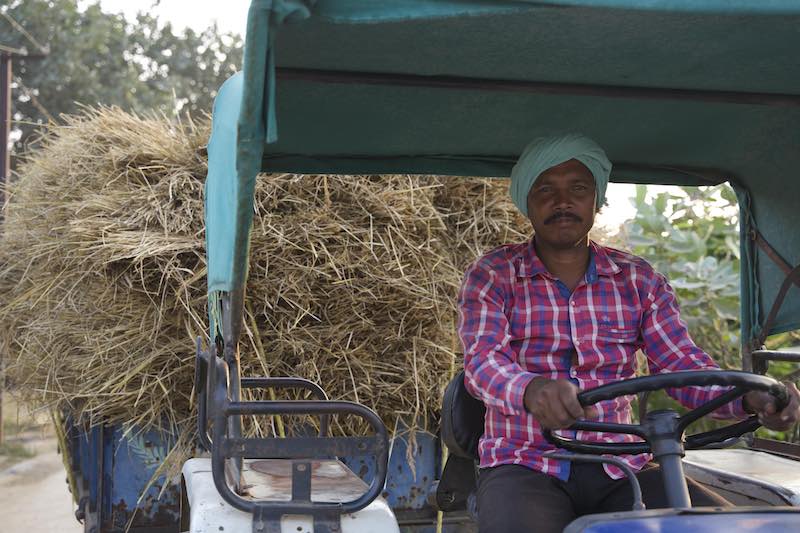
x=353, y=279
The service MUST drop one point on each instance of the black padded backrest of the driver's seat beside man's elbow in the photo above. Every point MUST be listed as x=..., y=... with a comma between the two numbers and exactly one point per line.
x=462, y=419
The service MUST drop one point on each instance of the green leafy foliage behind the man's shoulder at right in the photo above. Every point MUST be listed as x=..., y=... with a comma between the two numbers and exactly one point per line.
x=691, y=235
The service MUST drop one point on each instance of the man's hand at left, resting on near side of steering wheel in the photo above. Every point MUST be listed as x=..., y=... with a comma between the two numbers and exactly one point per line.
x=554, y=403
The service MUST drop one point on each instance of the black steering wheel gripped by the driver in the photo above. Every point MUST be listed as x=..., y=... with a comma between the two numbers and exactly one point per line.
x=663, y=430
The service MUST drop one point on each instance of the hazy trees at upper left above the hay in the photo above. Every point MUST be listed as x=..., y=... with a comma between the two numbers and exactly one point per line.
x=98, y=58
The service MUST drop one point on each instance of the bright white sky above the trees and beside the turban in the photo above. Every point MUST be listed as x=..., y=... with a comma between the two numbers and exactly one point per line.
x=231, y=15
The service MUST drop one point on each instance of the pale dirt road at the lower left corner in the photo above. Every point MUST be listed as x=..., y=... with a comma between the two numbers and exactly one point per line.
x=34, y=496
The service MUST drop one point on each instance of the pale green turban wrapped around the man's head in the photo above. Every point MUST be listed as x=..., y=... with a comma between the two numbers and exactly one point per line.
x=547, y=152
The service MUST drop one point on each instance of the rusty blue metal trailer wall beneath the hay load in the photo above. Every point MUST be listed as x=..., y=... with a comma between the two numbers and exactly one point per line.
x=113, y=469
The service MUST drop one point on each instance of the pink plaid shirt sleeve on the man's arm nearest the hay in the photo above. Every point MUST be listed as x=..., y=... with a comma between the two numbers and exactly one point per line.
x=491, y=371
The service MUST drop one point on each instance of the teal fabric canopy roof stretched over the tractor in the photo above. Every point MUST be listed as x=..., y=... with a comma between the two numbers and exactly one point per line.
x=677, y=91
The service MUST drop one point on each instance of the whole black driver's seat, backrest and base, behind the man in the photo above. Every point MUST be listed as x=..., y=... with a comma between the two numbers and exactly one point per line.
x=462, y=428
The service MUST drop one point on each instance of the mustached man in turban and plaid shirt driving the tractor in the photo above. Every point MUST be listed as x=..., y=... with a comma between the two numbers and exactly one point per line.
x=542, y=320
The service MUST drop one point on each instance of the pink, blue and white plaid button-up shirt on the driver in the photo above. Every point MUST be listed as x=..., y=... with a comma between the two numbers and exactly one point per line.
x=517, y=321
